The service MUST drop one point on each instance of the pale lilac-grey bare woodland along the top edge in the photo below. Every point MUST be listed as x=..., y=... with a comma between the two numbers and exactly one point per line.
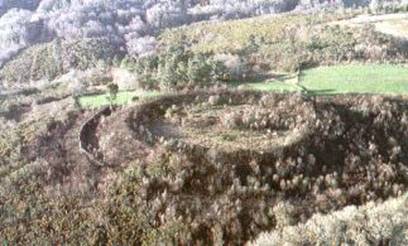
x=128, y=24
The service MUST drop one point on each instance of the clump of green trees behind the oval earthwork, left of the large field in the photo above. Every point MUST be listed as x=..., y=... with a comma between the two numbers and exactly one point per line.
x=176, y=67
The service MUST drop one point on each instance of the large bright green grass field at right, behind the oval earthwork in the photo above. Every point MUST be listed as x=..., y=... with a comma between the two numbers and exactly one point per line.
x=364, y=79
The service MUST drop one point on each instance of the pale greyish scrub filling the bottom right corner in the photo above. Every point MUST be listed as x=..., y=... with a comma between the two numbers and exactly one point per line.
x=372, y=224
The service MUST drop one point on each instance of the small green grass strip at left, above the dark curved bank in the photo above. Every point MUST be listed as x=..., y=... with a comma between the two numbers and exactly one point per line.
x=122, y=98
